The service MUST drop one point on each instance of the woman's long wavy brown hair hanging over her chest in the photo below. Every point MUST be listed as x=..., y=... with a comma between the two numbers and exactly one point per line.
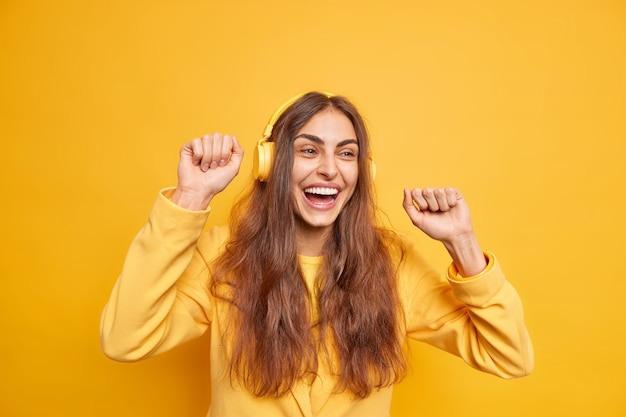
x=258, y=274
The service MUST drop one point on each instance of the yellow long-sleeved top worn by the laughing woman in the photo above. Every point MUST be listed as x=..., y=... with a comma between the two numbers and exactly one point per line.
x=162, y=299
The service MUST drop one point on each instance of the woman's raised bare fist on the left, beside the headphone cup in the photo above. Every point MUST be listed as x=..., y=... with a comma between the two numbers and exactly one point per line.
x=207, y=165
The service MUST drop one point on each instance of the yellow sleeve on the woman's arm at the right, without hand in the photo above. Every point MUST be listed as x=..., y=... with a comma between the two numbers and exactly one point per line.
x=477, y=318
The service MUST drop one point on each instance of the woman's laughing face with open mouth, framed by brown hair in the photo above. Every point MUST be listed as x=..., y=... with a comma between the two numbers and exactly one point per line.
x=325, y=172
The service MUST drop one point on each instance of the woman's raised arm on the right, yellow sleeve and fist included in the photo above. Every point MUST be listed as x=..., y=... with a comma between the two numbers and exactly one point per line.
x=476, y=314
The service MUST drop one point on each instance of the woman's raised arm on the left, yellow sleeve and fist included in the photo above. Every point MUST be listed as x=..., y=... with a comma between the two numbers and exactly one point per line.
x=161, y=296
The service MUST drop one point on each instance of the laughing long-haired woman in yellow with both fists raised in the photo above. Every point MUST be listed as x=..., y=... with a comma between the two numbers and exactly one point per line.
x=309, y=302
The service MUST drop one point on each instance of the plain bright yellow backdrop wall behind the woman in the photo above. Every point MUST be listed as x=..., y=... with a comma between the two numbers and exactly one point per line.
x=520, y=104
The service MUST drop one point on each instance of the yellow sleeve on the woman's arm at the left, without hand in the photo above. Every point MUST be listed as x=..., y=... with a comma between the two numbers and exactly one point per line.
x=161, y=298
